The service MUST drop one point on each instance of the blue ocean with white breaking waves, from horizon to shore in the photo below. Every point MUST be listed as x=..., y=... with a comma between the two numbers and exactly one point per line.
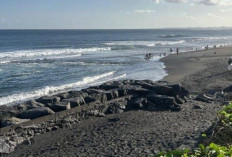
x=34, y=63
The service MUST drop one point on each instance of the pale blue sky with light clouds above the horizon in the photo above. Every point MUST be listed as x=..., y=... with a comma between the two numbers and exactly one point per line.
x=114, y=14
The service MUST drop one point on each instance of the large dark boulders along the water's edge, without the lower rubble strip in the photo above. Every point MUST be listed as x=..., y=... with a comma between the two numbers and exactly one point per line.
x=111, y=97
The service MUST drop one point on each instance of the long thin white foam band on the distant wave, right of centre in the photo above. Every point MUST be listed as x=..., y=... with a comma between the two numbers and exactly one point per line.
x=144, y=43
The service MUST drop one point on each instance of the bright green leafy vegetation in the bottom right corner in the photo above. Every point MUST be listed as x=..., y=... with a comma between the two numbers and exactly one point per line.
x=219, y=144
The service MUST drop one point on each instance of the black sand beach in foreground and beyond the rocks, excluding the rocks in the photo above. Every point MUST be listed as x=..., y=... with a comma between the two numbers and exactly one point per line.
x=143, y=132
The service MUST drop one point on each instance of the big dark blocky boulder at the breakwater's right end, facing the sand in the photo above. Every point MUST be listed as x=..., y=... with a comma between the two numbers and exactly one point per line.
x=162, y=102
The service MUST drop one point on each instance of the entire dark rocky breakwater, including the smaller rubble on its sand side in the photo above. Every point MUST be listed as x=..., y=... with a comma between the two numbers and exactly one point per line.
x=97, y=101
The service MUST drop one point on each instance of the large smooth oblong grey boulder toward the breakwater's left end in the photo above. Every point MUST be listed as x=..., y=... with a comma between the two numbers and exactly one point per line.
x=36, y=113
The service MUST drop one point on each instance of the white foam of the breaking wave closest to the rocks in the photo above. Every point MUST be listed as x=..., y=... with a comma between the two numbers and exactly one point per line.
x=17, y=98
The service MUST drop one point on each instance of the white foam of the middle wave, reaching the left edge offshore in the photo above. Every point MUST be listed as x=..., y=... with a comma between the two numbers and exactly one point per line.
x=49, y=52
